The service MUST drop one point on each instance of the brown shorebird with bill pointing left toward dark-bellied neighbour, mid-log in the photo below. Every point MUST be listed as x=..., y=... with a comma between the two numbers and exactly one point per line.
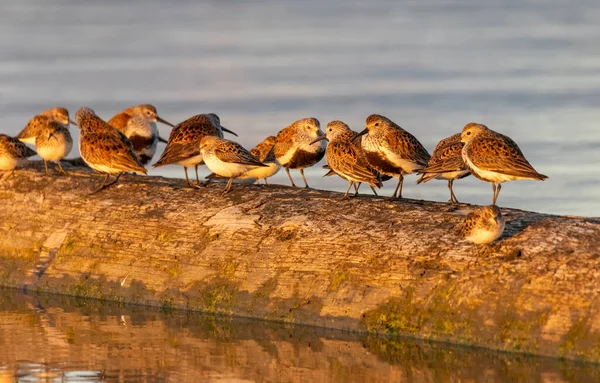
x=345, y=158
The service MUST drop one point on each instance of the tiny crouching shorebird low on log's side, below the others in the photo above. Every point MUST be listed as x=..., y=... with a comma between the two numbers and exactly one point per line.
x=484, y=224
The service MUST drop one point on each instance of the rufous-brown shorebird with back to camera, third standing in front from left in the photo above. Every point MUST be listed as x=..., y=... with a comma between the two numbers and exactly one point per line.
x=104, y=148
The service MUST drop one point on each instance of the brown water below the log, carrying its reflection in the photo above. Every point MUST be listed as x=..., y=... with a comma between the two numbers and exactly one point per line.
x=58, y=339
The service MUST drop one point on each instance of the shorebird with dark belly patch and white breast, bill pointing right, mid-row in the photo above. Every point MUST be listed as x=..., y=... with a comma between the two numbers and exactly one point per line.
x=294, y=148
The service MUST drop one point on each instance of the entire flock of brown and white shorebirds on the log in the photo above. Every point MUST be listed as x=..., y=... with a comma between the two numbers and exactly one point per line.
x=383, y=150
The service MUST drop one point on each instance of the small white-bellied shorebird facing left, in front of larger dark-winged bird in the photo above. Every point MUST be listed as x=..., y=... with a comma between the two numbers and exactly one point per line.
x=227, y=158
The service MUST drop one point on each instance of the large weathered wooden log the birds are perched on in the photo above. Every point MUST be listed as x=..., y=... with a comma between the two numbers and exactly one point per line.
x=304, y=256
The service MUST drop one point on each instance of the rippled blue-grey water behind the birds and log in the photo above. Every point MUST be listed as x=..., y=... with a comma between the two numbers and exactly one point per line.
x=526, y=68
